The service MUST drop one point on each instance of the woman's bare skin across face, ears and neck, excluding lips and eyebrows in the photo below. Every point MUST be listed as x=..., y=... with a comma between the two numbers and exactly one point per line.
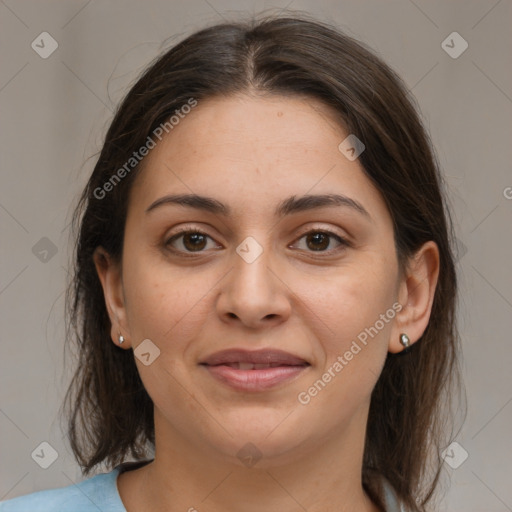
x=250, y=152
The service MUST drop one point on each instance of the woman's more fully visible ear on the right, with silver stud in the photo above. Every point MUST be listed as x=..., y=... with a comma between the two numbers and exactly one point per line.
x=416, y=295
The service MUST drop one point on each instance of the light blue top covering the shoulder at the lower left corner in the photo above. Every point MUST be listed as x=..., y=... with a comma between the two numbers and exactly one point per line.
x=98, y=493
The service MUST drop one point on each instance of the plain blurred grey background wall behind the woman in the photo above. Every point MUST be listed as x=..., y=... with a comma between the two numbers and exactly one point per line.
x=55, y=111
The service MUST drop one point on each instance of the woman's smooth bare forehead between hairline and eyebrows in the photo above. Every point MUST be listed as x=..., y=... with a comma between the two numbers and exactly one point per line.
x=253, y=151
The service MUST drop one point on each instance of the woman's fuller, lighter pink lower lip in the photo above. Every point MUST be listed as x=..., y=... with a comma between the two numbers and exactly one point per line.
x=255, y=380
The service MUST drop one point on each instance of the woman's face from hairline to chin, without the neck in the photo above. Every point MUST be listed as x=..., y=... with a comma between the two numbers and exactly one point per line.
x=266, y=271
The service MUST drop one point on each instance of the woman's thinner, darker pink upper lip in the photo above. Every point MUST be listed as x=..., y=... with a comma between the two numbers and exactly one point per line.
x=264, y=356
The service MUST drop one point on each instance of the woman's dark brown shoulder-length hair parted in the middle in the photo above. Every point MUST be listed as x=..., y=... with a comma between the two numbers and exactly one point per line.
x=110, y=413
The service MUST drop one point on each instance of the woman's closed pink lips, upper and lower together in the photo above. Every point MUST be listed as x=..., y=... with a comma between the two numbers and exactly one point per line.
x=270, y=368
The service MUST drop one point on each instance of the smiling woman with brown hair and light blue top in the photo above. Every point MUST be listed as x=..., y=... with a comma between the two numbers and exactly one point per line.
x=264, y=287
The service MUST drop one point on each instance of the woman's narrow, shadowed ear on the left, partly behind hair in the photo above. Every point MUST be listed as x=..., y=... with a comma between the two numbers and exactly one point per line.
x=109, y=273
